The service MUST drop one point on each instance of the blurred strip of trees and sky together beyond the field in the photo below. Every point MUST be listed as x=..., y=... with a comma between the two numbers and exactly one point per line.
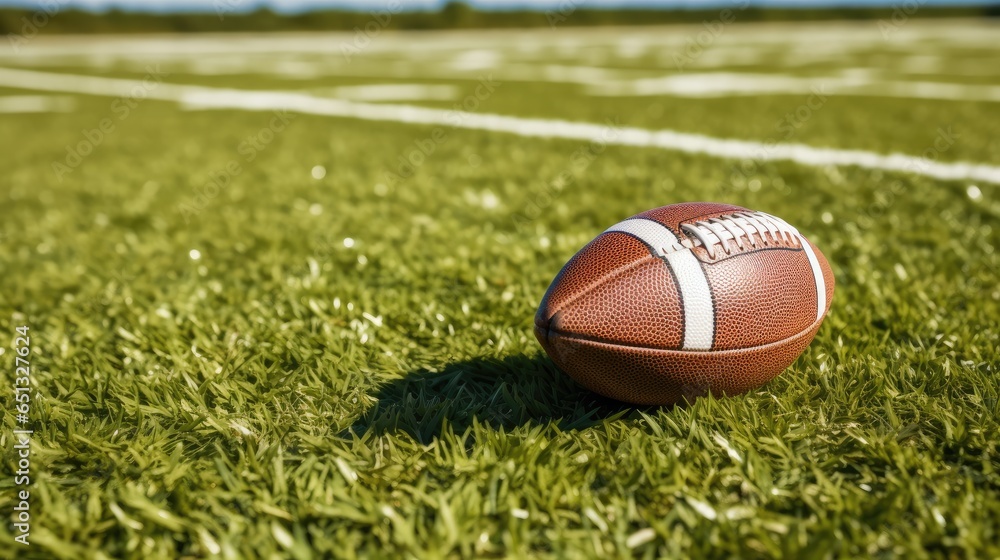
x=132, y=16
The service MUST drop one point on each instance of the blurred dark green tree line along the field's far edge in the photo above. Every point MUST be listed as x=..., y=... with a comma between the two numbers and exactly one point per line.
x=452, y=16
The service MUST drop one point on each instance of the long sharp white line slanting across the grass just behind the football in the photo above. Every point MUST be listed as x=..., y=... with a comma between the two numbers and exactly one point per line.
x=208, y=97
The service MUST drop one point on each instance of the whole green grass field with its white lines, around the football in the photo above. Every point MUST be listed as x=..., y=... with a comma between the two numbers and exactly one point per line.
x=268, y=333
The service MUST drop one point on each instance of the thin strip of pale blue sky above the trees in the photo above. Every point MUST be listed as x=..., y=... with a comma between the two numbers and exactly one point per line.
x=303, y=5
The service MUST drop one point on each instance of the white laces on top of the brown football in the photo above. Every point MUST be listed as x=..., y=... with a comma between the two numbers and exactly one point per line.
x=740, y=228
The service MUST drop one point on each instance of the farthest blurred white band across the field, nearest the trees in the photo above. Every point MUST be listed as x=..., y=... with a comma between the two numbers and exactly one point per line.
x=830, y=37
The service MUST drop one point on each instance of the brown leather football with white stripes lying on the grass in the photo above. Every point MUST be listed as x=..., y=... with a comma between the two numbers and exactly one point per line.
x=685, y=299
